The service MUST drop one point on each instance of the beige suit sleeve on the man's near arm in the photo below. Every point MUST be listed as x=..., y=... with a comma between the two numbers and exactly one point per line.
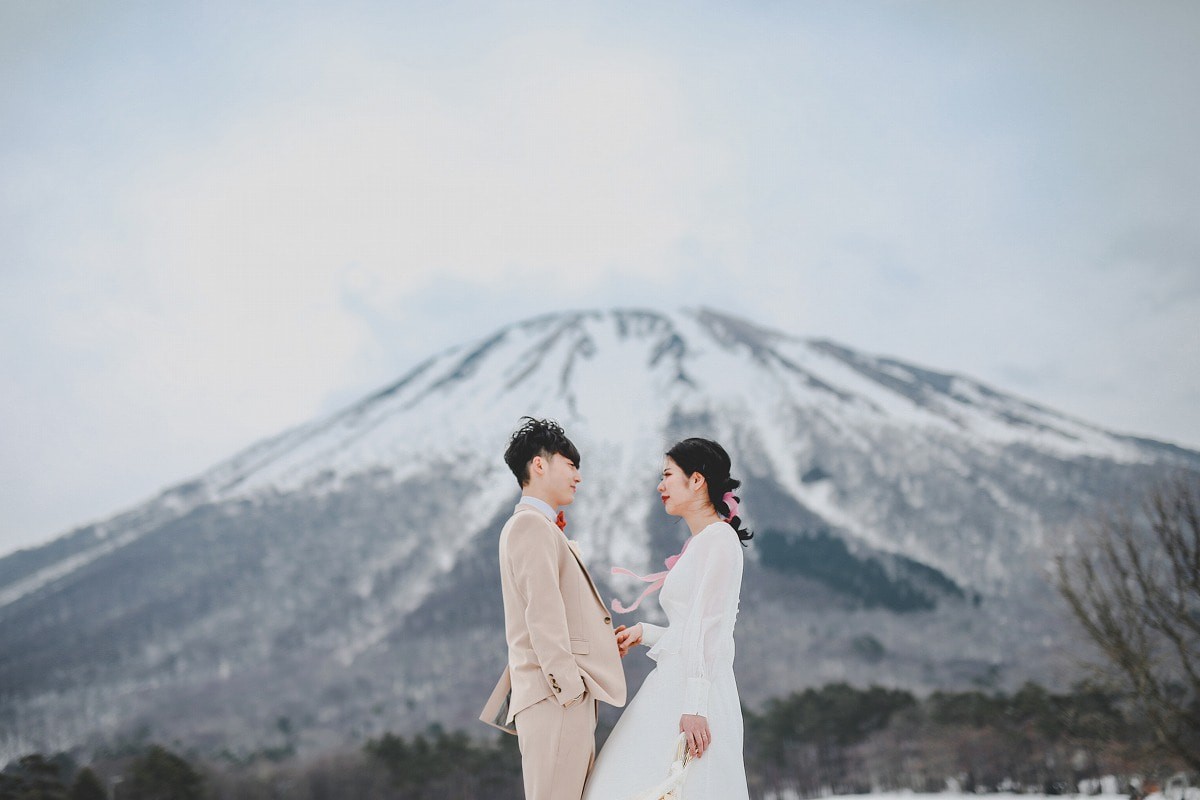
x=535, y=560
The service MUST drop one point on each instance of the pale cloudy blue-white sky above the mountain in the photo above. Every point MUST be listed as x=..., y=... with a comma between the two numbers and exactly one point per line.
x=218, y=222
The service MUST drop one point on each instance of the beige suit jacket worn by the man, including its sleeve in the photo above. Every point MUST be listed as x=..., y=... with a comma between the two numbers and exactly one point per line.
x=559, y=630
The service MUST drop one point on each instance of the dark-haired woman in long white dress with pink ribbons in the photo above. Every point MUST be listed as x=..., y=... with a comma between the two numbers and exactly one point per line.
x=692, y=690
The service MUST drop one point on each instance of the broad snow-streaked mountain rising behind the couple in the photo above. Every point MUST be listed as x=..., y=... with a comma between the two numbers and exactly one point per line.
x=343, y=575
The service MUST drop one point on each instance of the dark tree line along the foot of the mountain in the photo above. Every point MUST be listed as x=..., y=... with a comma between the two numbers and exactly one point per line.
x=836, y=739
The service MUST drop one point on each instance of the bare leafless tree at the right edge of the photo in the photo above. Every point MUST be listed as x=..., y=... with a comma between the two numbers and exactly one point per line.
x=1135, y=586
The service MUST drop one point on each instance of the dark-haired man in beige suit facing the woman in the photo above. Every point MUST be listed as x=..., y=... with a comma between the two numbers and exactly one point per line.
x=563, y=655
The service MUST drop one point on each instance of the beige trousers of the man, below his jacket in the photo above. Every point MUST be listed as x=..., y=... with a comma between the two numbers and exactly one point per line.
x=557, y=748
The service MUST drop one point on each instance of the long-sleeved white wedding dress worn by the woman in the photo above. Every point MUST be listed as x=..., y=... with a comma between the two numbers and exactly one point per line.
x=694, y=676
